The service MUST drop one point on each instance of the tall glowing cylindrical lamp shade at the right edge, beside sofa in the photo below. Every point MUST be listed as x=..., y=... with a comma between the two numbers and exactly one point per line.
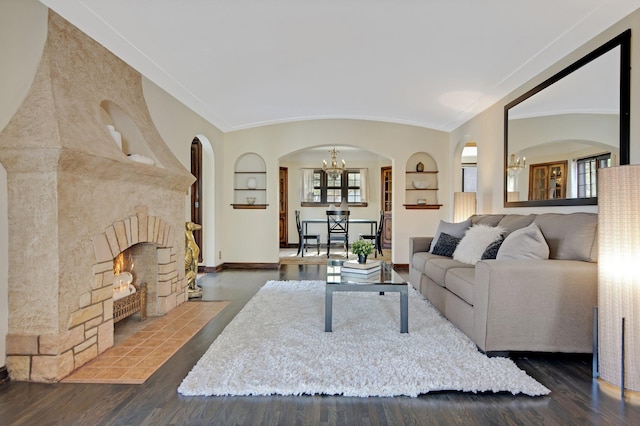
x=619, y=275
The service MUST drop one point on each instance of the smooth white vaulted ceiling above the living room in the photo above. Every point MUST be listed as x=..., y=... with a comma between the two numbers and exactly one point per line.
x=431, y=63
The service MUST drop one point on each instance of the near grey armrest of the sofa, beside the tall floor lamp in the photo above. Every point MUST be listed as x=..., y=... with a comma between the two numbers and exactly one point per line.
x=535, y=305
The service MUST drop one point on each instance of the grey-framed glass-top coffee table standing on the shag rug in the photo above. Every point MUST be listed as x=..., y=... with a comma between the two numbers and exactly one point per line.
x=381, y=281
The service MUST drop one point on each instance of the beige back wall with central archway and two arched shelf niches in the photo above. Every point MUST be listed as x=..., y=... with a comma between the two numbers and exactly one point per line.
x=252, y=235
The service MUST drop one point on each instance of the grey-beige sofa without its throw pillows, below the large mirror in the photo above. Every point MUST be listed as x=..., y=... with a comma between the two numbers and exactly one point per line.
x=503, y=305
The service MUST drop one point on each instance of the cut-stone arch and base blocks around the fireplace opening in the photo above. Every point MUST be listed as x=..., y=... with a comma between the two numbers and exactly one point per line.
x=91, y=326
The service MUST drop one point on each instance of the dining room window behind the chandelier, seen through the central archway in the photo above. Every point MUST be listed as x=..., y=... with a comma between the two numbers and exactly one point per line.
x=317, y=188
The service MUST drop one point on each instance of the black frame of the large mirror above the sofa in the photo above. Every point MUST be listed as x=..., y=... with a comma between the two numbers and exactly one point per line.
x=624, y=41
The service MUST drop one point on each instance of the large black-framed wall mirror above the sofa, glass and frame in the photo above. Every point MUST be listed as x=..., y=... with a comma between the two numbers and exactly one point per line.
x=559, y=133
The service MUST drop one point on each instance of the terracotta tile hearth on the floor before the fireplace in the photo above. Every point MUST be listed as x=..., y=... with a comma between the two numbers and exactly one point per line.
x=137, y=357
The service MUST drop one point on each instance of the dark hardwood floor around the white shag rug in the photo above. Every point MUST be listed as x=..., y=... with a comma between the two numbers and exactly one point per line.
x=575, y=398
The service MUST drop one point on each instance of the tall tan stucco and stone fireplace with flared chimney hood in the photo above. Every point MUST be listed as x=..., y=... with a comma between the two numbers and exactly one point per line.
x=77, y=198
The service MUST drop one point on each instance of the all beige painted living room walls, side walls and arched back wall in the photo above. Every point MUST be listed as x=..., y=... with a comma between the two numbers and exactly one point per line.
x=252, y=235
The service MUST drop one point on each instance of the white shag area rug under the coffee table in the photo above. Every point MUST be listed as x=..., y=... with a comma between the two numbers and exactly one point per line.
x=277, y=345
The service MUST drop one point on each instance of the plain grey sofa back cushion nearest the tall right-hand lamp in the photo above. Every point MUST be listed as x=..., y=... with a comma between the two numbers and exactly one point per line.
x=570, y=236
